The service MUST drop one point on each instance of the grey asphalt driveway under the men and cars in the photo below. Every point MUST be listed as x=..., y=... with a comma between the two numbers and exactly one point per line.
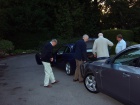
x=21, y=83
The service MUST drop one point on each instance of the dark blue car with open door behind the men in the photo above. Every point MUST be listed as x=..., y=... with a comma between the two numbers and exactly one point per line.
x=64, y=57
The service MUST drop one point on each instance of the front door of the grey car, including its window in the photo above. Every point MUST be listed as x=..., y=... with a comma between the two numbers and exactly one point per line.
x=116, y=76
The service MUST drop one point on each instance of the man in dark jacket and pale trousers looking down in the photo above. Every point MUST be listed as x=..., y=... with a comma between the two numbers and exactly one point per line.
x=46, y=57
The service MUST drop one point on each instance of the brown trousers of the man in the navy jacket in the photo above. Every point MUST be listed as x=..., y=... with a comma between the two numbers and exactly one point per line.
x=77, y=75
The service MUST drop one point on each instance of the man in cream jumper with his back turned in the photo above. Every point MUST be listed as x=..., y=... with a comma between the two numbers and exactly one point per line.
x=100, y=47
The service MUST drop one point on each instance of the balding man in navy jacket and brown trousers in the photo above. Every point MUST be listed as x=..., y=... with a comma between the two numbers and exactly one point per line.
x=80, y=57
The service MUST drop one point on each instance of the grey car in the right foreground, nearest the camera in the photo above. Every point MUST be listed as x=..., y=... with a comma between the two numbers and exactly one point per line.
x=118, y=76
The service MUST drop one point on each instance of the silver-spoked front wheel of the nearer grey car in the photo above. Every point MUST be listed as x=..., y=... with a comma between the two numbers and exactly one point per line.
x=90, y=83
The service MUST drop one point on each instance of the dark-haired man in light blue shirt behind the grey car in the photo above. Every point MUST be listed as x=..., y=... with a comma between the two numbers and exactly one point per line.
x=121, y=44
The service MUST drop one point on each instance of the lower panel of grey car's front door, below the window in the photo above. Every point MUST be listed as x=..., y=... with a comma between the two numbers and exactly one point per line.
x=115, y=81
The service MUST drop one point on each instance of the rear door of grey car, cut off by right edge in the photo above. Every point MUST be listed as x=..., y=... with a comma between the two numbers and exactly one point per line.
x=135, y=80
